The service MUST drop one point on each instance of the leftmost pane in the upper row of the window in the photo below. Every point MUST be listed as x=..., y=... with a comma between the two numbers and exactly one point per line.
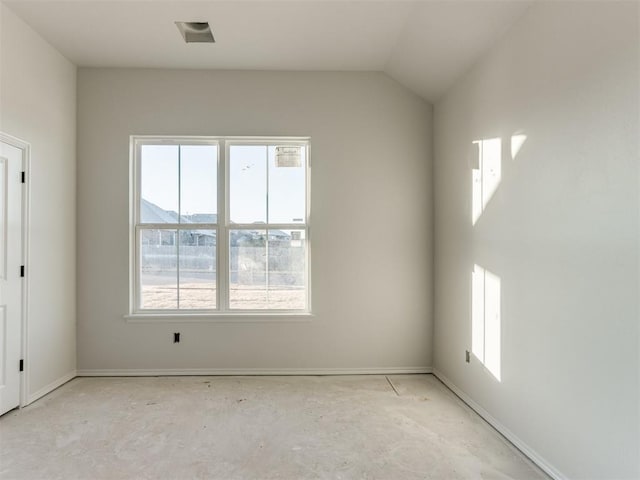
x=159, y=184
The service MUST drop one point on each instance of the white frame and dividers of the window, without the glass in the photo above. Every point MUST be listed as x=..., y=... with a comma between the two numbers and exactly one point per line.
x=222, y=228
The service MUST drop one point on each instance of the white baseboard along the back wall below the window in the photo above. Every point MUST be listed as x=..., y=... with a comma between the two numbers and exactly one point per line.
x=159, y=372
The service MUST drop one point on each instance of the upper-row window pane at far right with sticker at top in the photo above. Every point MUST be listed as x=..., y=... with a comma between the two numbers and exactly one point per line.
x=287, y=184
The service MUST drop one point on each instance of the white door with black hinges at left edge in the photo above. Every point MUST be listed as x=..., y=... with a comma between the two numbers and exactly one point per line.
x=10, y=275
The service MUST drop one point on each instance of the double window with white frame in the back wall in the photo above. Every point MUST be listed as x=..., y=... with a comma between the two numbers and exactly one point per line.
x=219, y=225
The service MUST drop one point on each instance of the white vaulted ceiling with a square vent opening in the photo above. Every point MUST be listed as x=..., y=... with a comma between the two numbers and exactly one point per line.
x=425, y=45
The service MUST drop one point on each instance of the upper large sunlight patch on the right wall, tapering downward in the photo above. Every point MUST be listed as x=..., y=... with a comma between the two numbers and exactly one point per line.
x=486, y=175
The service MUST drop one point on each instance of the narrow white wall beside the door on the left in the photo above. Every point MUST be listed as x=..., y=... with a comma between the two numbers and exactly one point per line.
x=38, y=105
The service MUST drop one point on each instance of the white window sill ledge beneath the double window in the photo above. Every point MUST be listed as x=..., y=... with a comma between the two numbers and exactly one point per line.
x=227, y=317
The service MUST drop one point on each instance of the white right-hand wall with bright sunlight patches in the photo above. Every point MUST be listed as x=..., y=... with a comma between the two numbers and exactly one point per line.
x=561, y=232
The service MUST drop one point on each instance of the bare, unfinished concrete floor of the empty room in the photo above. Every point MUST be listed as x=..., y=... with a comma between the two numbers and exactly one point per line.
x=340, y=427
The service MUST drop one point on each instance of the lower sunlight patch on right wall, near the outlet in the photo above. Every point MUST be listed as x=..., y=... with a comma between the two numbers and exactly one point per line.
x=485, y=319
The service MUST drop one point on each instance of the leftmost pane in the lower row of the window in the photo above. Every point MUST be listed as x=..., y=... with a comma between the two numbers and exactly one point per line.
x=158, y=269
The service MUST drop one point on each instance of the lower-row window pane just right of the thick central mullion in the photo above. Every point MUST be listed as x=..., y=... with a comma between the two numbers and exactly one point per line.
x=248, y=269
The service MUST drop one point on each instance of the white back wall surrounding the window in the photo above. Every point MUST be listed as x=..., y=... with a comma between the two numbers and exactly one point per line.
x=371, y=222
